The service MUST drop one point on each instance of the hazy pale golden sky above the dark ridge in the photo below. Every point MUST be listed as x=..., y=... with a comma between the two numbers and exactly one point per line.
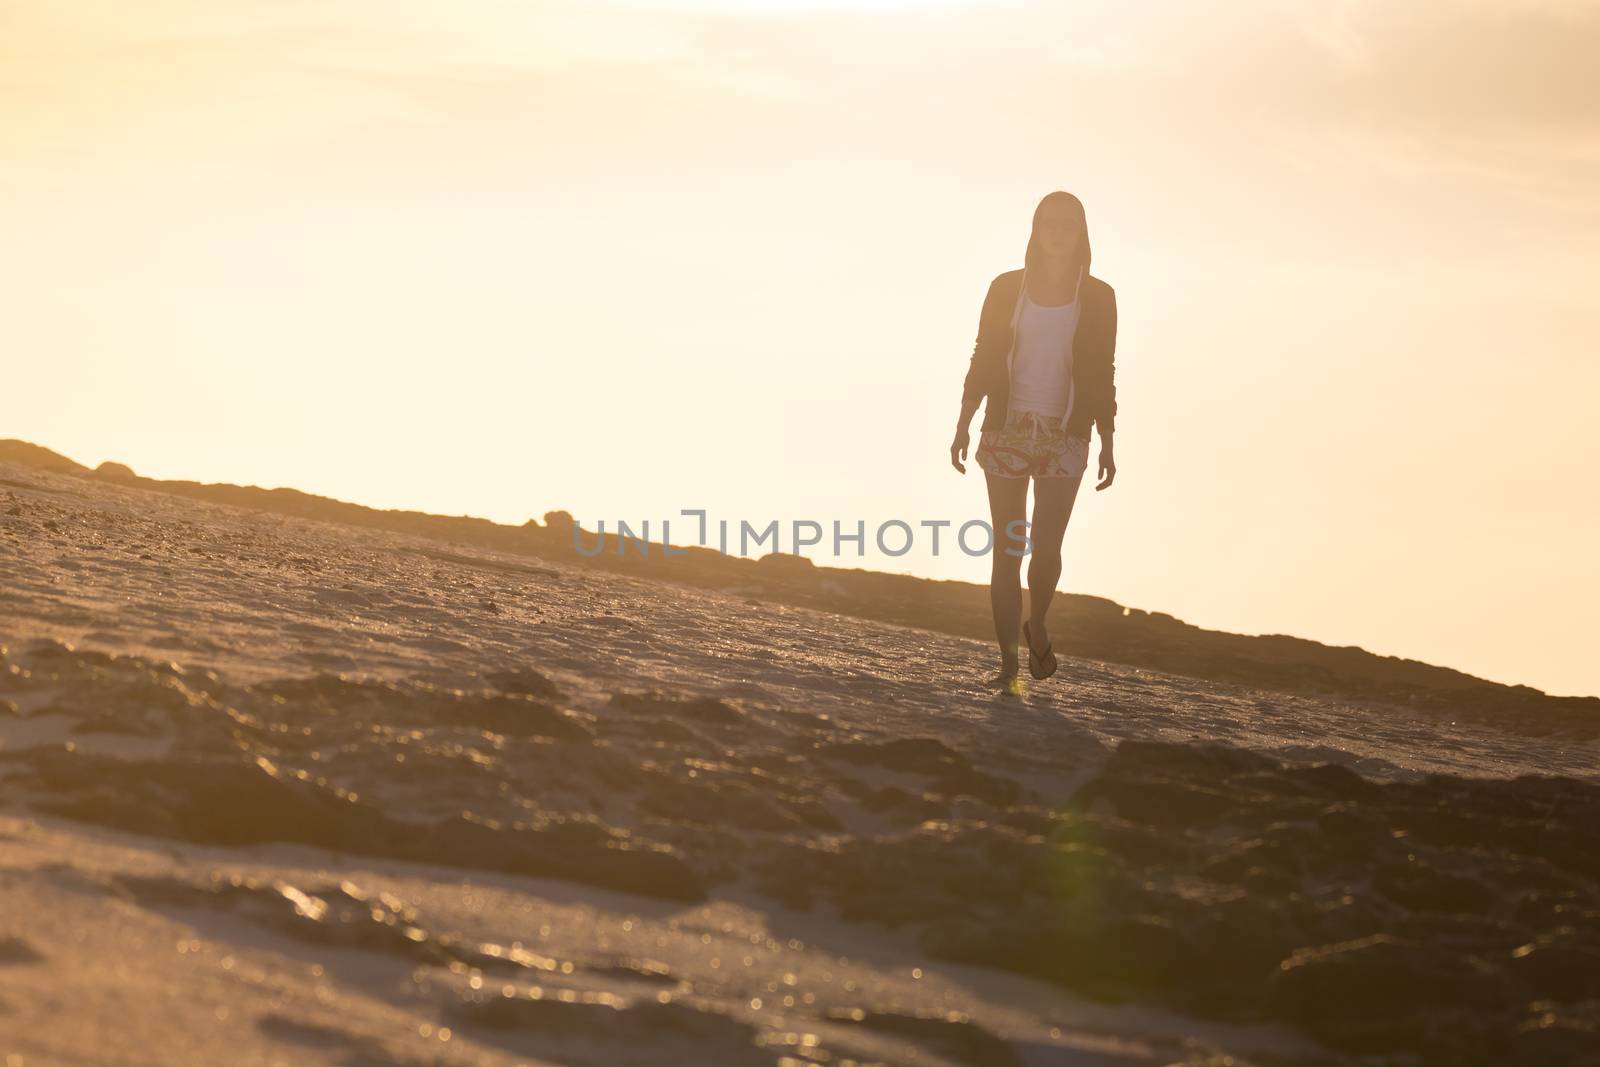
x=634, y=258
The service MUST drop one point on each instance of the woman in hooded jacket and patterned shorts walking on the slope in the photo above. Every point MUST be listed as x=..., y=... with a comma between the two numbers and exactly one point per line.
x=1044, y=359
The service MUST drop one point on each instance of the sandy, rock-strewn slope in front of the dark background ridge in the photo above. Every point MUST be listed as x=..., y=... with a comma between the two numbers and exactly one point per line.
x=279, y=791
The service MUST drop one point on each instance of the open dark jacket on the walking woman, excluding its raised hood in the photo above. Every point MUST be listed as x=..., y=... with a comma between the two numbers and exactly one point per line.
x=1094, y=346
